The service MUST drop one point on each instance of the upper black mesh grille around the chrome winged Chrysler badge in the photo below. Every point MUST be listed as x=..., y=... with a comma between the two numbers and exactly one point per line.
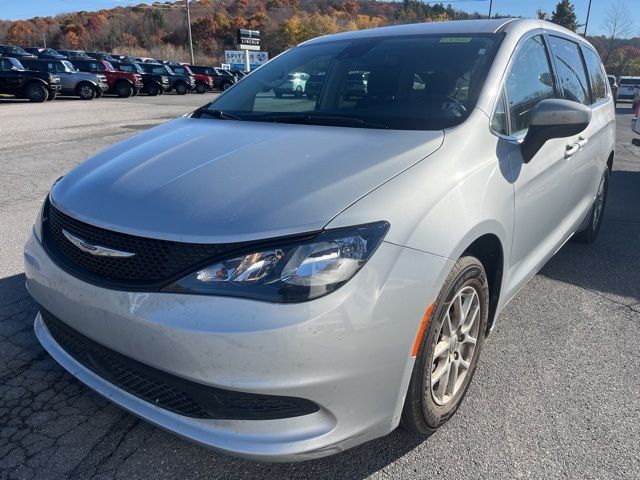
x=154, y=264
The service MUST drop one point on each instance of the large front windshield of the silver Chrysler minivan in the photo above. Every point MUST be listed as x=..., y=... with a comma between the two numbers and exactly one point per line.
x=426, y=82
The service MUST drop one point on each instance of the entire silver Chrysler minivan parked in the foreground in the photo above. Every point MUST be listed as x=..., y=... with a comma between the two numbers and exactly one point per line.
x=283, y=278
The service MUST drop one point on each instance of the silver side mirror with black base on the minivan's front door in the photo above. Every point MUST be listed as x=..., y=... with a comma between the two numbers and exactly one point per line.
x=553, y=118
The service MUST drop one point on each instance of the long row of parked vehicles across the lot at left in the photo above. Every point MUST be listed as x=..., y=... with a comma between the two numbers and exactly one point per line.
x=41, y=74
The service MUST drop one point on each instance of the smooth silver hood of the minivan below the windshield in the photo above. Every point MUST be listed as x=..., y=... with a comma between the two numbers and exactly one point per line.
x=216, y=181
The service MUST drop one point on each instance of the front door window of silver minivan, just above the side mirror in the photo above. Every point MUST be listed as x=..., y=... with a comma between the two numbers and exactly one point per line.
x=528, y=82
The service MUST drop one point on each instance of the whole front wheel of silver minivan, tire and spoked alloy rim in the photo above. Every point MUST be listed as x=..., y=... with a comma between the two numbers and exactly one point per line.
x=449, y=349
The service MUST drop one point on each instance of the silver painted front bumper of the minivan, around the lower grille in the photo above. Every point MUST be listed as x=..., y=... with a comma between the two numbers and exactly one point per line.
x=347, y=352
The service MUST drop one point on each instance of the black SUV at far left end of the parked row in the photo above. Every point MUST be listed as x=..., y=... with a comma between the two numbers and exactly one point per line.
x=36, y=86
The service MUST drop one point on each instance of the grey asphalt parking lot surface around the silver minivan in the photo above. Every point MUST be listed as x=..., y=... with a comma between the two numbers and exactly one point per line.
x=556, y=394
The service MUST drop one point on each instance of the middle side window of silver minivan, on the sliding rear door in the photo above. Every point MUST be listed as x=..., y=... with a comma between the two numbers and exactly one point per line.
x=571, y=73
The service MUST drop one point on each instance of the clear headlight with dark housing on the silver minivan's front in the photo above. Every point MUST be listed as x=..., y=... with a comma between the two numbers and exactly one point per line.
x=289, y=272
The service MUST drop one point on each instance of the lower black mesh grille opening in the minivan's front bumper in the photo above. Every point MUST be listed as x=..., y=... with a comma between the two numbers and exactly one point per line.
x=169, y=391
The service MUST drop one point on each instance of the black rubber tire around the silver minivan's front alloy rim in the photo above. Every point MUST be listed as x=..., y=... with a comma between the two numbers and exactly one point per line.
x=421, y=413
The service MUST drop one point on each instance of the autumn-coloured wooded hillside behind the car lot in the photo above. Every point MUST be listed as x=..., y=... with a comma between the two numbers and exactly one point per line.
x=160, y=30
